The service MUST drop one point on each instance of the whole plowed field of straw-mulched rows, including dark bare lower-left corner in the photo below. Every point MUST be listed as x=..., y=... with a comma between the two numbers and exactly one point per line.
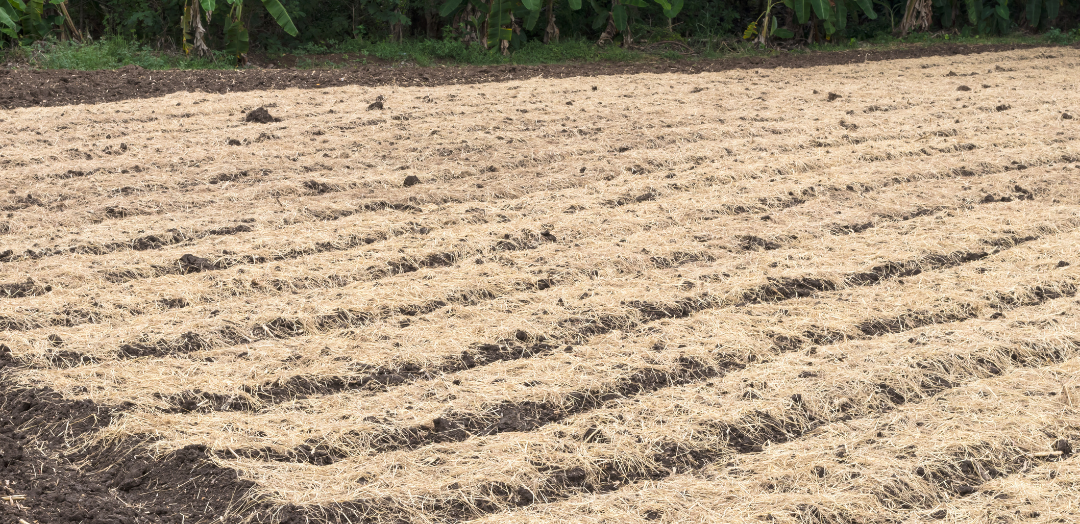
x=832, y=294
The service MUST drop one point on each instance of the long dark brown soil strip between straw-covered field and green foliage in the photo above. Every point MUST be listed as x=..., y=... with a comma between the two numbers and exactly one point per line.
x=59, y=88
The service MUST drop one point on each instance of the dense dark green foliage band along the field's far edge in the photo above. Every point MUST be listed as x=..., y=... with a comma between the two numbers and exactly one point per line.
x=507, y=25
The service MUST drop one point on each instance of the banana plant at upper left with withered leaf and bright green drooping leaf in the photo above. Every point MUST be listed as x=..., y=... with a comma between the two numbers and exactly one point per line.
x=237, y=41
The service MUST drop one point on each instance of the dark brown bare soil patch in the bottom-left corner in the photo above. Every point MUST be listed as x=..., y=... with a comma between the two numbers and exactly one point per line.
x=117, y=487
